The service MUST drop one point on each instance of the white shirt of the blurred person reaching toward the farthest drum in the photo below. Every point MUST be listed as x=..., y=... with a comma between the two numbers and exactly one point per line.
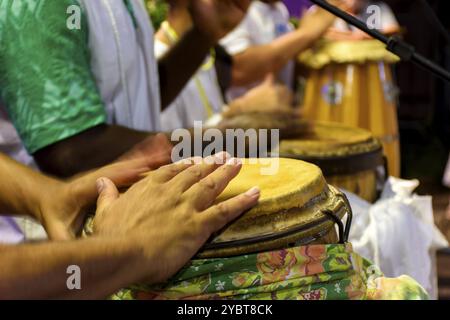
x=263, y=24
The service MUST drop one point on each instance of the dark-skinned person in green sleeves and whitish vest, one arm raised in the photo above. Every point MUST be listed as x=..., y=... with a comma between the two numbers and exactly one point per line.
x=83, y=96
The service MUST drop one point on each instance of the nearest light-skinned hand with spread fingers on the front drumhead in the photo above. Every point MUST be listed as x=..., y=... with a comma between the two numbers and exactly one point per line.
x=172, y=213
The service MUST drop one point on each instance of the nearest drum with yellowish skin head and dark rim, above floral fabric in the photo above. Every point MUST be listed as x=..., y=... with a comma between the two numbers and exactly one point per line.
x=297, y=207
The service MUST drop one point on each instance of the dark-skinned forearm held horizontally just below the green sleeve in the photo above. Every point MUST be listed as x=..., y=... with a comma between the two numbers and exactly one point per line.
x=90, y=149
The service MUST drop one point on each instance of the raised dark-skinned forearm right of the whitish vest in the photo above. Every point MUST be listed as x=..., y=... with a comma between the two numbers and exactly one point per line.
x=180, y=63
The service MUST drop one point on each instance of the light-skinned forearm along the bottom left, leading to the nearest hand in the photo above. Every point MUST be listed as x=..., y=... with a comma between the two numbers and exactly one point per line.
x=39, y=271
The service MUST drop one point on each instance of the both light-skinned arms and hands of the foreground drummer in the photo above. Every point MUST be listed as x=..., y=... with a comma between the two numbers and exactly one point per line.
x=147, y=230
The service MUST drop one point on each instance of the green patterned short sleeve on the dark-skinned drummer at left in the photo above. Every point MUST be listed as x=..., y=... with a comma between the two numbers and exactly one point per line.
x=45, y=79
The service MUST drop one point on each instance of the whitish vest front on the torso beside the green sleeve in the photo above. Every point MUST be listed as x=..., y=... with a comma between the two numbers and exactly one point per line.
x=123, y=63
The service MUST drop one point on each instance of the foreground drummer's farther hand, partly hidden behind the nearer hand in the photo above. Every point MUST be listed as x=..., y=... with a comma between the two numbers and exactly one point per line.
x=63, y=205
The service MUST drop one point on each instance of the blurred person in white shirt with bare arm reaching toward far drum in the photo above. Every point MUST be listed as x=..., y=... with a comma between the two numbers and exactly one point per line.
x=266, y=42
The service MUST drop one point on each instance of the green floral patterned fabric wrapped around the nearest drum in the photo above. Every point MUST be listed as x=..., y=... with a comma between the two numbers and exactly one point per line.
x=317, y=272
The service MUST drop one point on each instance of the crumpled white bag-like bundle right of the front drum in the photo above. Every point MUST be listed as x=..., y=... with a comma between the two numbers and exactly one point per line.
x=398, y=233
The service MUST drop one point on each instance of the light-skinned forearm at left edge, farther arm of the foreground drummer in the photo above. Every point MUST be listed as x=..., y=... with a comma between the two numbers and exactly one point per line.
x=21, y=188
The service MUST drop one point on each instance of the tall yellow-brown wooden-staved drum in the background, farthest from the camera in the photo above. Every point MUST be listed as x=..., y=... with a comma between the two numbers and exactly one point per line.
x=350, y=82
